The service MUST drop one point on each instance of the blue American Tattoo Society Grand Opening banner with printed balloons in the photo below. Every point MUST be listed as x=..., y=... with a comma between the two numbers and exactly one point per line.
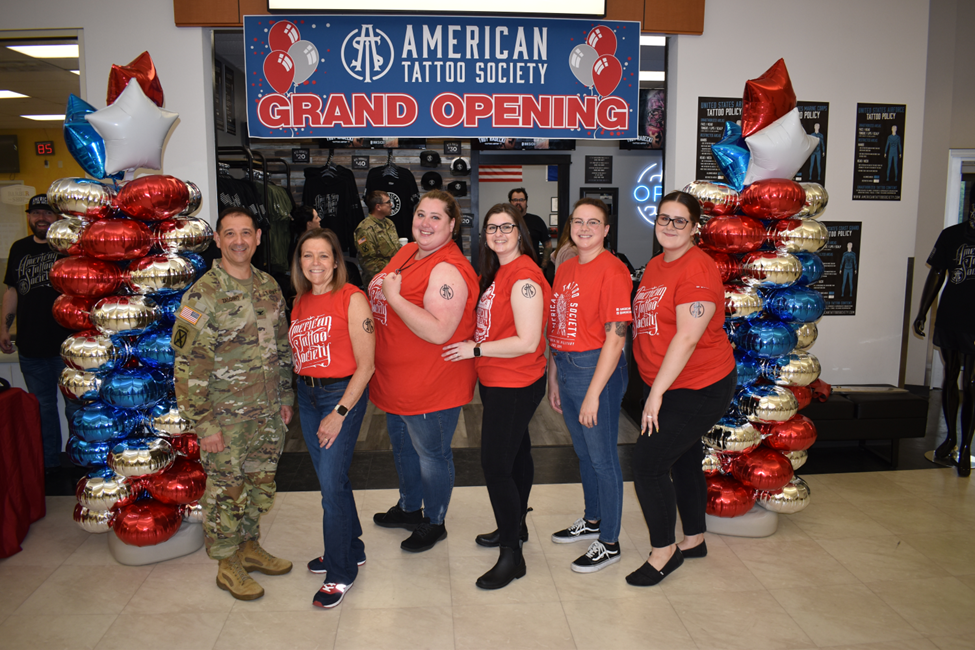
x=434, y=76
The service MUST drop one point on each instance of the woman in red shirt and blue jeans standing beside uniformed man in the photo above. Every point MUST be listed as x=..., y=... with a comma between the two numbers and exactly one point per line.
x=333, y=345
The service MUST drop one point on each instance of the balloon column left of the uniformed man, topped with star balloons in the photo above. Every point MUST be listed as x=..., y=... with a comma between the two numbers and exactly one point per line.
x=132, y=250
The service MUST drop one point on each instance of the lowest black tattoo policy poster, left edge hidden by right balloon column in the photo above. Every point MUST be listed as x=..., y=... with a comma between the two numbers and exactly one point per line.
x=841, y=268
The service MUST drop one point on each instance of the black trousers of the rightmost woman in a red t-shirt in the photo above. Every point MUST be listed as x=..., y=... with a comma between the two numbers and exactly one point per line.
x=667, y=465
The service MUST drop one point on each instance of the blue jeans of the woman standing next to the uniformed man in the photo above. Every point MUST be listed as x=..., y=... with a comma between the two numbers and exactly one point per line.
x=340, y=522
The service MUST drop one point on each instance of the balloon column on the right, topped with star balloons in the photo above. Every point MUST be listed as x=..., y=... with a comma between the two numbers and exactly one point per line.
x=762, y=232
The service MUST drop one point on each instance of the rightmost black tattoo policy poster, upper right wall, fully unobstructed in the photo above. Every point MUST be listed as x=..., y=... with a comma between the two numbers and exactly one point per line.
x=878, y=164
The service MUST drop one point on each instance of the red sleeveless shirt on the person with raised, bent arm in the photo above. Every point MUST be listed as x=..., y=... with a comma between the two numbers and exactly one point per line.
x=411, y=375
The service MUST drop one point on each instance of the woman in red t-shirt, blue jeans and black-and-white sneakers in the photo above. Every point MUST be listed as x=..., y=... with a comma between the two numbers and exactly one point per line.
x=588, y=316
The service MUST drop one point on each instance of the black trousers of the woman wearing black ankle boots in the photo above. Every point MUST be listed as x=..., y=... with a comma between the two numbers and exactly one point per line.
x=506, y=453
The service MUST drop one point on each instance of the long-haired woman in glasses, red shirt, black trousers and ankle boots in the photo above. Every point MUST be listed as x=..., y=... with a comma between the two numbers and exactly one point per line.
x=509, y=352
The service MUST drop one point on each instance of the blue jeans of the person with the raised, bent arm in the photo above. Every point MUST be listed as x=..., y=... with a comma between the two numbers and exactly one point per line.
x=424, y=460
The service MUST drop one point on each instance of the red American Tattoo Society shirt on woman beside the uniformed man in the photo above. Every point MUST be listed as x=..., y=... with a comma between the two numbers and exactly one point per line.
x=319, y=334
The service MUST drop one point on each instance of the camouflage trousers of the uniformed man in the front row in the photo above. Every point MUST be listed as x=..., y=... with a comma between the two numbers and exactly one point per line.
x=240, y=483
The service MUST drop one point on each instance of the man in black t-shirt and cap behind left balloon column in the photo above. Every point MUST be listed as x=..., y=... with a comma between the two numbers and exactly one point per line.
x=28, y=299
